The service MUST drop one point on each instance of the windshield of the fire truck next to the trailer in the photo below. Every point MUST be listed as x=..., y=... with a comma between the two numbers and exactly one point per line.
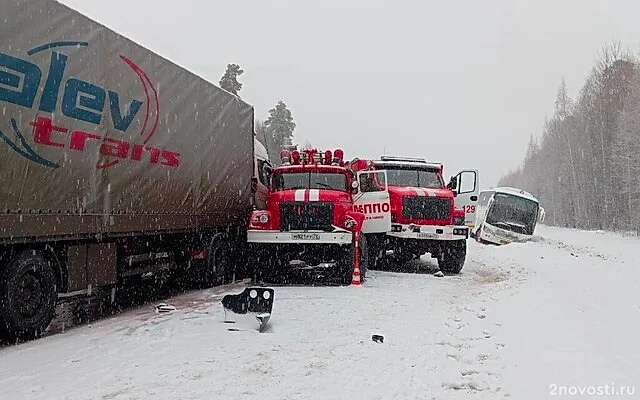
x=309, y=180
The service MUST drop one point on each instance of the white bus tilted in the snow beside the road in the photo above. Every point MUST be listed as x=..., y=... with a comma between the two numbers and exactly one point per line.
x=505, y=215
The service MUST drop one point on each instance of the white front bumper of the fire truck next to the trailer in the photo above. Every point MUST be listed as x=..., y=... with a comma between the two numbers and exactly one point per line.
x=293, y=237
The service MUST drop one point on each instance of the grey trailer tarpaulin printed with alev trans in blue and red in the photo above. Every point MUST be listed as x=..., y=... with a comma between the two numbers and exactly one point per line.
x=101, y=136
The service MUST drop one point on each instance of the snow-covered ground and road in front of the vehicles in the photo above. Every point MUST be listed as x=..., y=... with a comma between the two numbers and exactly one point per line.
x=524, y=321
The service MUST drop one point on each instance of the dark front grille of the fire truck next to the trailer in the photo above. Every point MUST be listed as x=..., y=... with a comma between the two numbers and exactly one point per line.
x=306, y=216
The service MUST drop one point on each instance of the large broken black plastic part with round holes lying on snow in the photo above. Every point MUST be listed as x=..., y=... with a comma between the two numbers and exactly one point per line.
x=244, y=310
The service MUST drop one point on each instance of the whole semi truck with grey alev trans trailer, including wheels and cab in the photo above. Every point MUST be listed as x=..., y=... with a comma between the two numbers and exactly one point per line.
x=114, y=163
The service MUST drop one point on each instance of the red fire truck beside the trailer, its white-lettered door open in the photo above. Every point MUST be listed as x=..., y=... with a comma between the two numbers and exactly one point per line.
x=310, y=220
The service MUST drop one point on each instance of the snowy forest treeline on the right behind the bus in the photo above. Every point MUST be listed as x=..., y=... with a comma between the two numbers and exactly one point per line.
x=585, y=168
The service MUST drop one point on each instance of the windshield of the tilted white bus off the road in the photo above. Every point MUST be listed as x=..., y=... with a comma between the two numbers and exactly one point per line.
x=513, y=213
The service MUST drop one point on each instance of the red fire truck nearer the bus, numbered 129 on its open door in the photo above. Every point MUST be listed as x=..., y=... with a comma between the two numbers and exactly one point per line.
x=427, y=215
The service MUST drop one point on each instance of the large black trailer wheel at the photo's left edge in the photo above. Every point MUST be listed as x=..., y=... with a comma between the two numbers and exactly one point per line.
x=28, y=296
